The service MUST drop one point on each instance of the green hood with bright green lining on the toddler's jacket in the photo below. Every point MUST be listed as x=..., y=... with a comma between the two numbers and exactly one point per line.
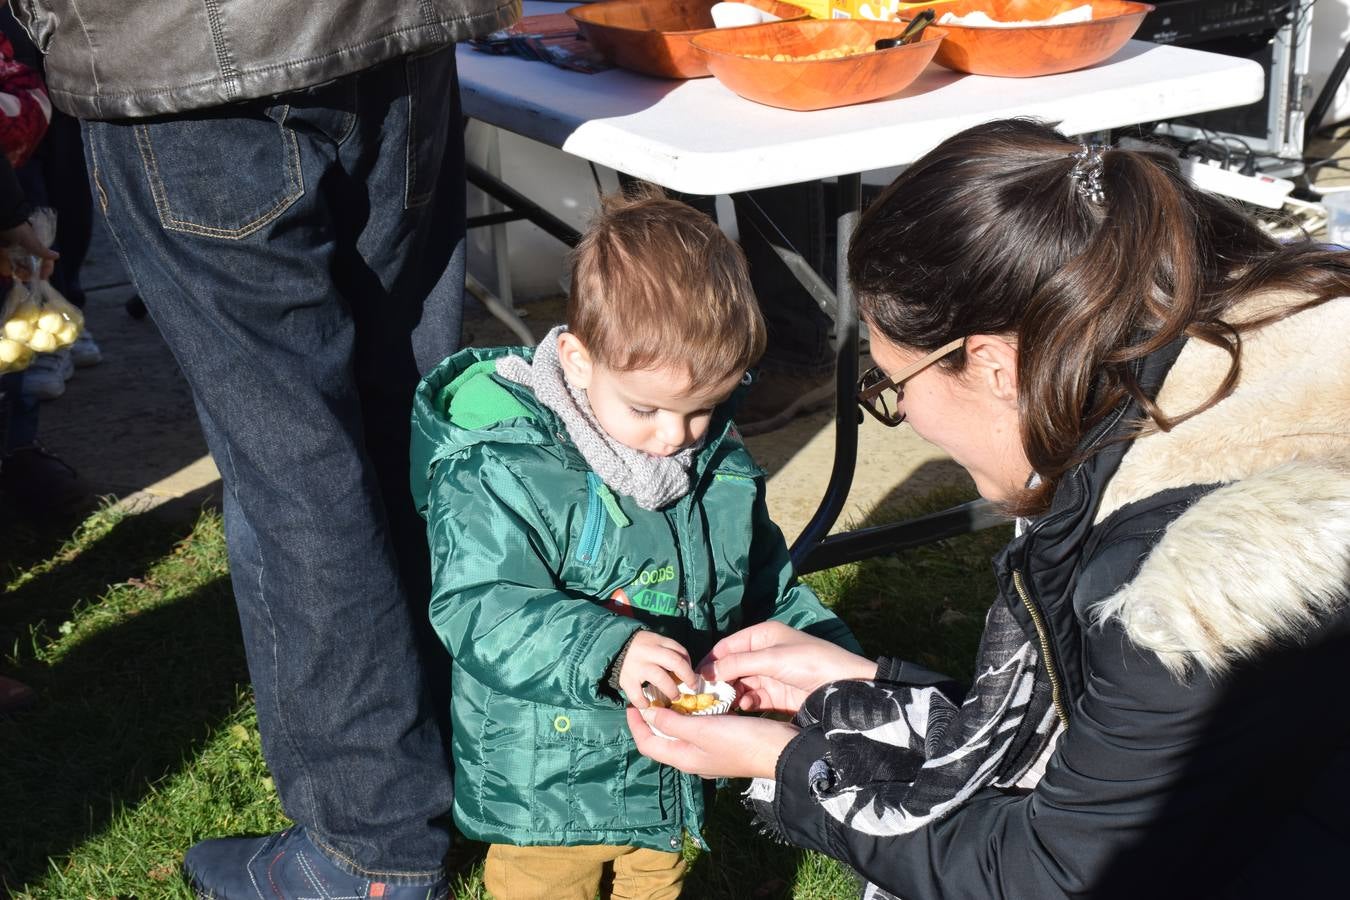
x=461, y=404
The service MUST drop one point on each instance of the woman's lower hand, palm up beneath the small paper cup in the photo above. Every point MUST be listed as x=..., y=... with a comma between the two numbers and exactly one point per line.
x=715, y=747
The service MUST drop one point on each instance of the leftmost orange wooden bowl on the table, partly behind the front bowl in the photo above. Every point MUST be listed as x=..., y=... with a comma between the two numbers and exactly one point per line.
x=653, y=37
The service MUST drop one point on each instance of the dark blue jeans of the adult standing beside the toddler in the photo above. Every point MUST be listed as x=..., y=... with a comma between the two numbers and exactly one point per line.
x=303, y=257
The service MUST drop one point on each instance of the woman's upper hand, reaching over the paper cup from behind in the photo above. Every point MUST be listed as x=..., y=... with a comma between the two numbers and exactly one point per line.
x=776, y=666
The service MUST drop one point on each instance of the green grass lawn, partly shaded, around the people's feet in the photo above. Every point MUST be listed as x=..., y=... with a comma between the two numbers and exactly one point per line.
x=145, y=737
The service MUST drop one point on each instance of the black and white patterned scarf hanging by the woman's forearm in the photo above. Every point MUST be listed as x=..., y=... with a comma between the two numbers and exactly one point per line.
x=901, y=758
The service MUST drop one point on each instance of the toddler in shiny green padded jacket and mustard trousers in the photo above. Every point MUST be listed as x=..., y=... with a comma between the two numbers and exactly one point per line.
x=596, y=526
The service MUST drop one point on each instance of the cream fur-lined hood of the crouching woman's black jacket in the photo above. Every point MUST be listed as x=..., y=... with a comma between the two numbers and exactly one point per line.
x=1266, y=557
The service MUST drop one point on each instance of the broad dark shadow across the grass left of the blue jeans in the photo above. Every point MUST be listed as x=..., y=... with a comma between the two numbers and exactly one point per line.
x=118, y=712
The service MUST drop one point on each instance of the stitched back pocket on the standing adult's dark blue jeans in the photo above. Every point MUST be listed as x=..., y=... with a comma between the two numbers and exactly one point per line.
x=222, y=176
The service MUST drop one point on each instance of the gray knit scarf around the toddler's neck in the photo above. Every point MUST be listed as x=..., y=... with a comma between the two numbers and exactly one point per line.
x=655, y=482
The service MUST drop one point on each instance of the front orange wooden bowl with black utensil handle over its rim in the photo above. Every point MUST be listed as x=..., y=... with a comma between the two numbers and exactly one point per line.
x=736, y=59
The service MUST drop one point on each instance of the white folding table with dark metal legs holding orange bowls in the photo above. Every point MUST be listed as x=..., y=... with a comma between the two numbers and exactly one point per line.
x=699, y=138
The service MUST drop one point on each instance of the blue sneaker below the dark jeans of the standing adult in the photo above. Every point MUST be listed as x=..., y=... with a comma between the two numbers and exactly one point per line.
x=287, y=867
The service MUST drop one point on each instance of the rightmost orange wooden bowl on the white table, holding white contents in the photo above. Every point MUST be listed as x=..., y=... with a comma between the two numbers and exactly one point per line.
x=1037, y=51
